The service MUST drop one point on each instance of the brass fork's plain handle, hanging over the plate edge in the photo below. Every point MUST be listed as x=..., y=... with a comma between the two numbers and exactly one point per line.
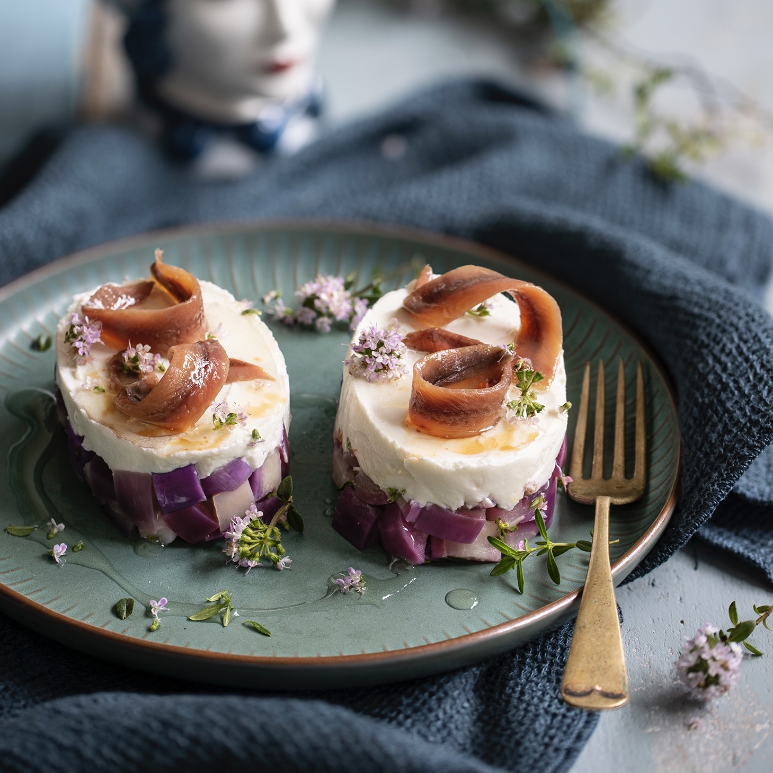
x=595, y=675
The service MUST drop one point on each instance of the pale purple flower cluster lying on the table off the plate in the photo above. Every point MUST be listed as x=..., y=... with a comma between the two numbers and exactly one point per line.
x=709, y=667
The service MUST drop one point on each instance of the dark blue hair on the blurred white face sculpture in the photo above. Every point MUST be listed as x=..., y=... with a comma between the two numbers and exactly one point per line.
x=146, y=46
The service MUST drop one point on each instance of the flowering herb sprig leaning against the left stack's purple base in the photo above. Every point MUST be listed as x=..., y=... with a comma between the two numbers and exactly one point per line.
x=249, y=539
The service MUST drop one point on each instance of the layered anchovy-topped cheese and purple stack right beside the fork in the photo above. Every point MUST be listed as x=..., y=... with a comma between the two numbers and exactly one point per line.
x=452, y=419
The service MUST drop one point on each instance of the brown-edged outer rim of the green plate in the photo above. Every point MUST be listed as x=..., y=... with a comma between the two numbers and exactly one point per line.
x=501, y=632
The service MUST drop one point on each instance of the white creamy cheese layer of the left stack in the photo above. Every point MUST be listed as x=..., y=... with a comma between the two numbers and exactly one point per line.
x=128, y=444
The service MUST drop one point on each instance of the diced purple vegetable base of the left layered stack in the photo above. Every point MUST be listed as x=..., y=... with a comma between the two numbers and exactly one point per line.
x=178, y=504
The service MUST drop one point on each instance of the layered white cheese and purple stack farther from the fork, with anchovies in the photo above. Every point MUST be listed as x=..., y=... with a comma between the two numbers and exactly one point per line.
x=176, y=401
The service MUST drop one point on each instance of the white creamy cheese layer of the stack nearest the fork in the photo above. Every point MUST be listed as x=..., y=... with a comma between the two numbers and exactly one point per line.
x=500, y=464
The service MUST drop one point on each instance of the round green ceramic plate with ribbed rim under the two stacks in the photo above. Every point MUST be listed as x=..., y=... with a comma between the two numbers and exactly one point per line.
x=411, y=621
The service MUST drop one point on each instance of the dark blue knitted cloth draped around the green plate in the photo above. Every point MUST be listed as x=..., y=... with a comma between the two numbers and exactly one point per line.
x=681, y=264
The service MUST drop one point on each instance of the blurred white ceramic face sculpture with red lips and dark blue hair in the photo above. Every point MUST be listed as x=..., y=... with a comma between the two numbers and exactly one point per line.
x=208, y=66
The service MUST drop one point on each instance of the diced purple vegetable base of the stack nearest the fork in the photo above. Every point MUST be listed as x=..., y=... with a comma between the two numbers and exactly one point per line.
x=419, y=533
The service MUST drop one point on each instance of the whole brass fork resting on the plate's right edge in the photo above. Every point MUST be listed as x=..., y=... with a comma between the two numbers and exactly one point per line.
x=595, y=675
